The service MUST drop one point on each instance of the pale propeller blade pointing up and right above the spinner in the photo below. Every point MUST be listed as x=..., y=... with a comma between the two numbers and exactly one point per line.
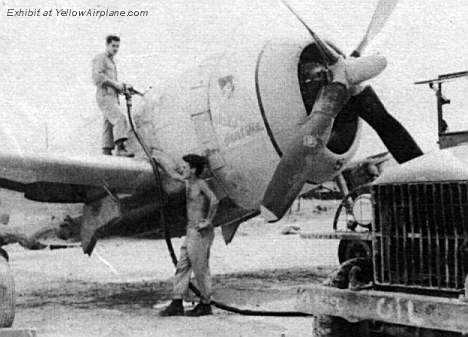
x=381, y=14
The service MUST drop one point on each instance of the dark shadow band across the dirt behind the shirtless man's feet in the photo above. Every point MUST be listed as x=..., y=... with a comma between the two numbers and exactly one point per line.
x=236, y=288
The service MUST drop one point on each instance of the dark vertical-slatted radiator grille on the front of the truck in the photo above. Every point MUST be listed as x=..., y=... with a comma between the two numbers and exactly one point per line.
x=420, y=235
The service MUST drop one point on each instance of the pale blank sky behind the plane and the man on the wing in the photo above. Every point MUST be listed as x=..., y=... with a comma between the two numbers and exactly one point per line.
x=47, y=99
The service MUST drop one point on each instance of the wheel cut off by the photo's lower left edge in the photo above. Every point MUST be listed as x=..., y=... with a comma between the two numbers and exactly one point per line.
x=7, y=292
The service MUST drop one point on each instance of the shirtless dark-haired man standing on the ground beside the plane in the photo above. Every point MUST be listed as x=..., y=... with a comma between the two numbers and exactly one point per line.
x=195, y=251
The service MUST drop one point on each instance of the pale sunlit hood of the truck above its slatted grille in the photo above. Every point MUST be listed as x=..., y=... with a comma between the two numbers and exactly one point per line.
x=440, y=165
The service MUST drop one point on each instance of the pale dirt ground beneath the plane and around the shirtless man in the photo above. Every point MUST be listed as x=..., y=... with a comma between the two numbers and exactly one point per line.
x=120, y=288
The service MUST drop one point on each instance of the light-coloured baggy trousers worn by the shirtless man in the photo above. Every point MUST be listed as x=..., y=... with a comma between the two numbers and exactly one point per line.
x=194, y=256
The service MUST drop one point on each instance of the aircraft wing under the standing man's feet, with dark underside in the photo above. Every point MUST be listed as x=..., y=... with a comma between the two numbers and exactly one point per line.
x=70, y=178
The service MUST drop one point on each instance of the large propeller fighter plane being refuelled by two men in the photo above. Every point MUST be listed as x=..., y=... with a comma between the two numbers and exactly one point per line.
x=270, y=122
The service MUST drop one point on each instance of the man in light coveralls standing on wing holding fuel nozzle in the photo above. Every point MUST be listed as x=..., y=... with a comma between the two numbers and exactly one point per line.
x=107, y=95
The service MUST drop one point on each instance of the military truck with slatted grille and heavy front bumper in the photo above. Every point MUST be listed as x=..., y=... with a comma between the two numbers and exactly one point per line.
x=404, y=271
